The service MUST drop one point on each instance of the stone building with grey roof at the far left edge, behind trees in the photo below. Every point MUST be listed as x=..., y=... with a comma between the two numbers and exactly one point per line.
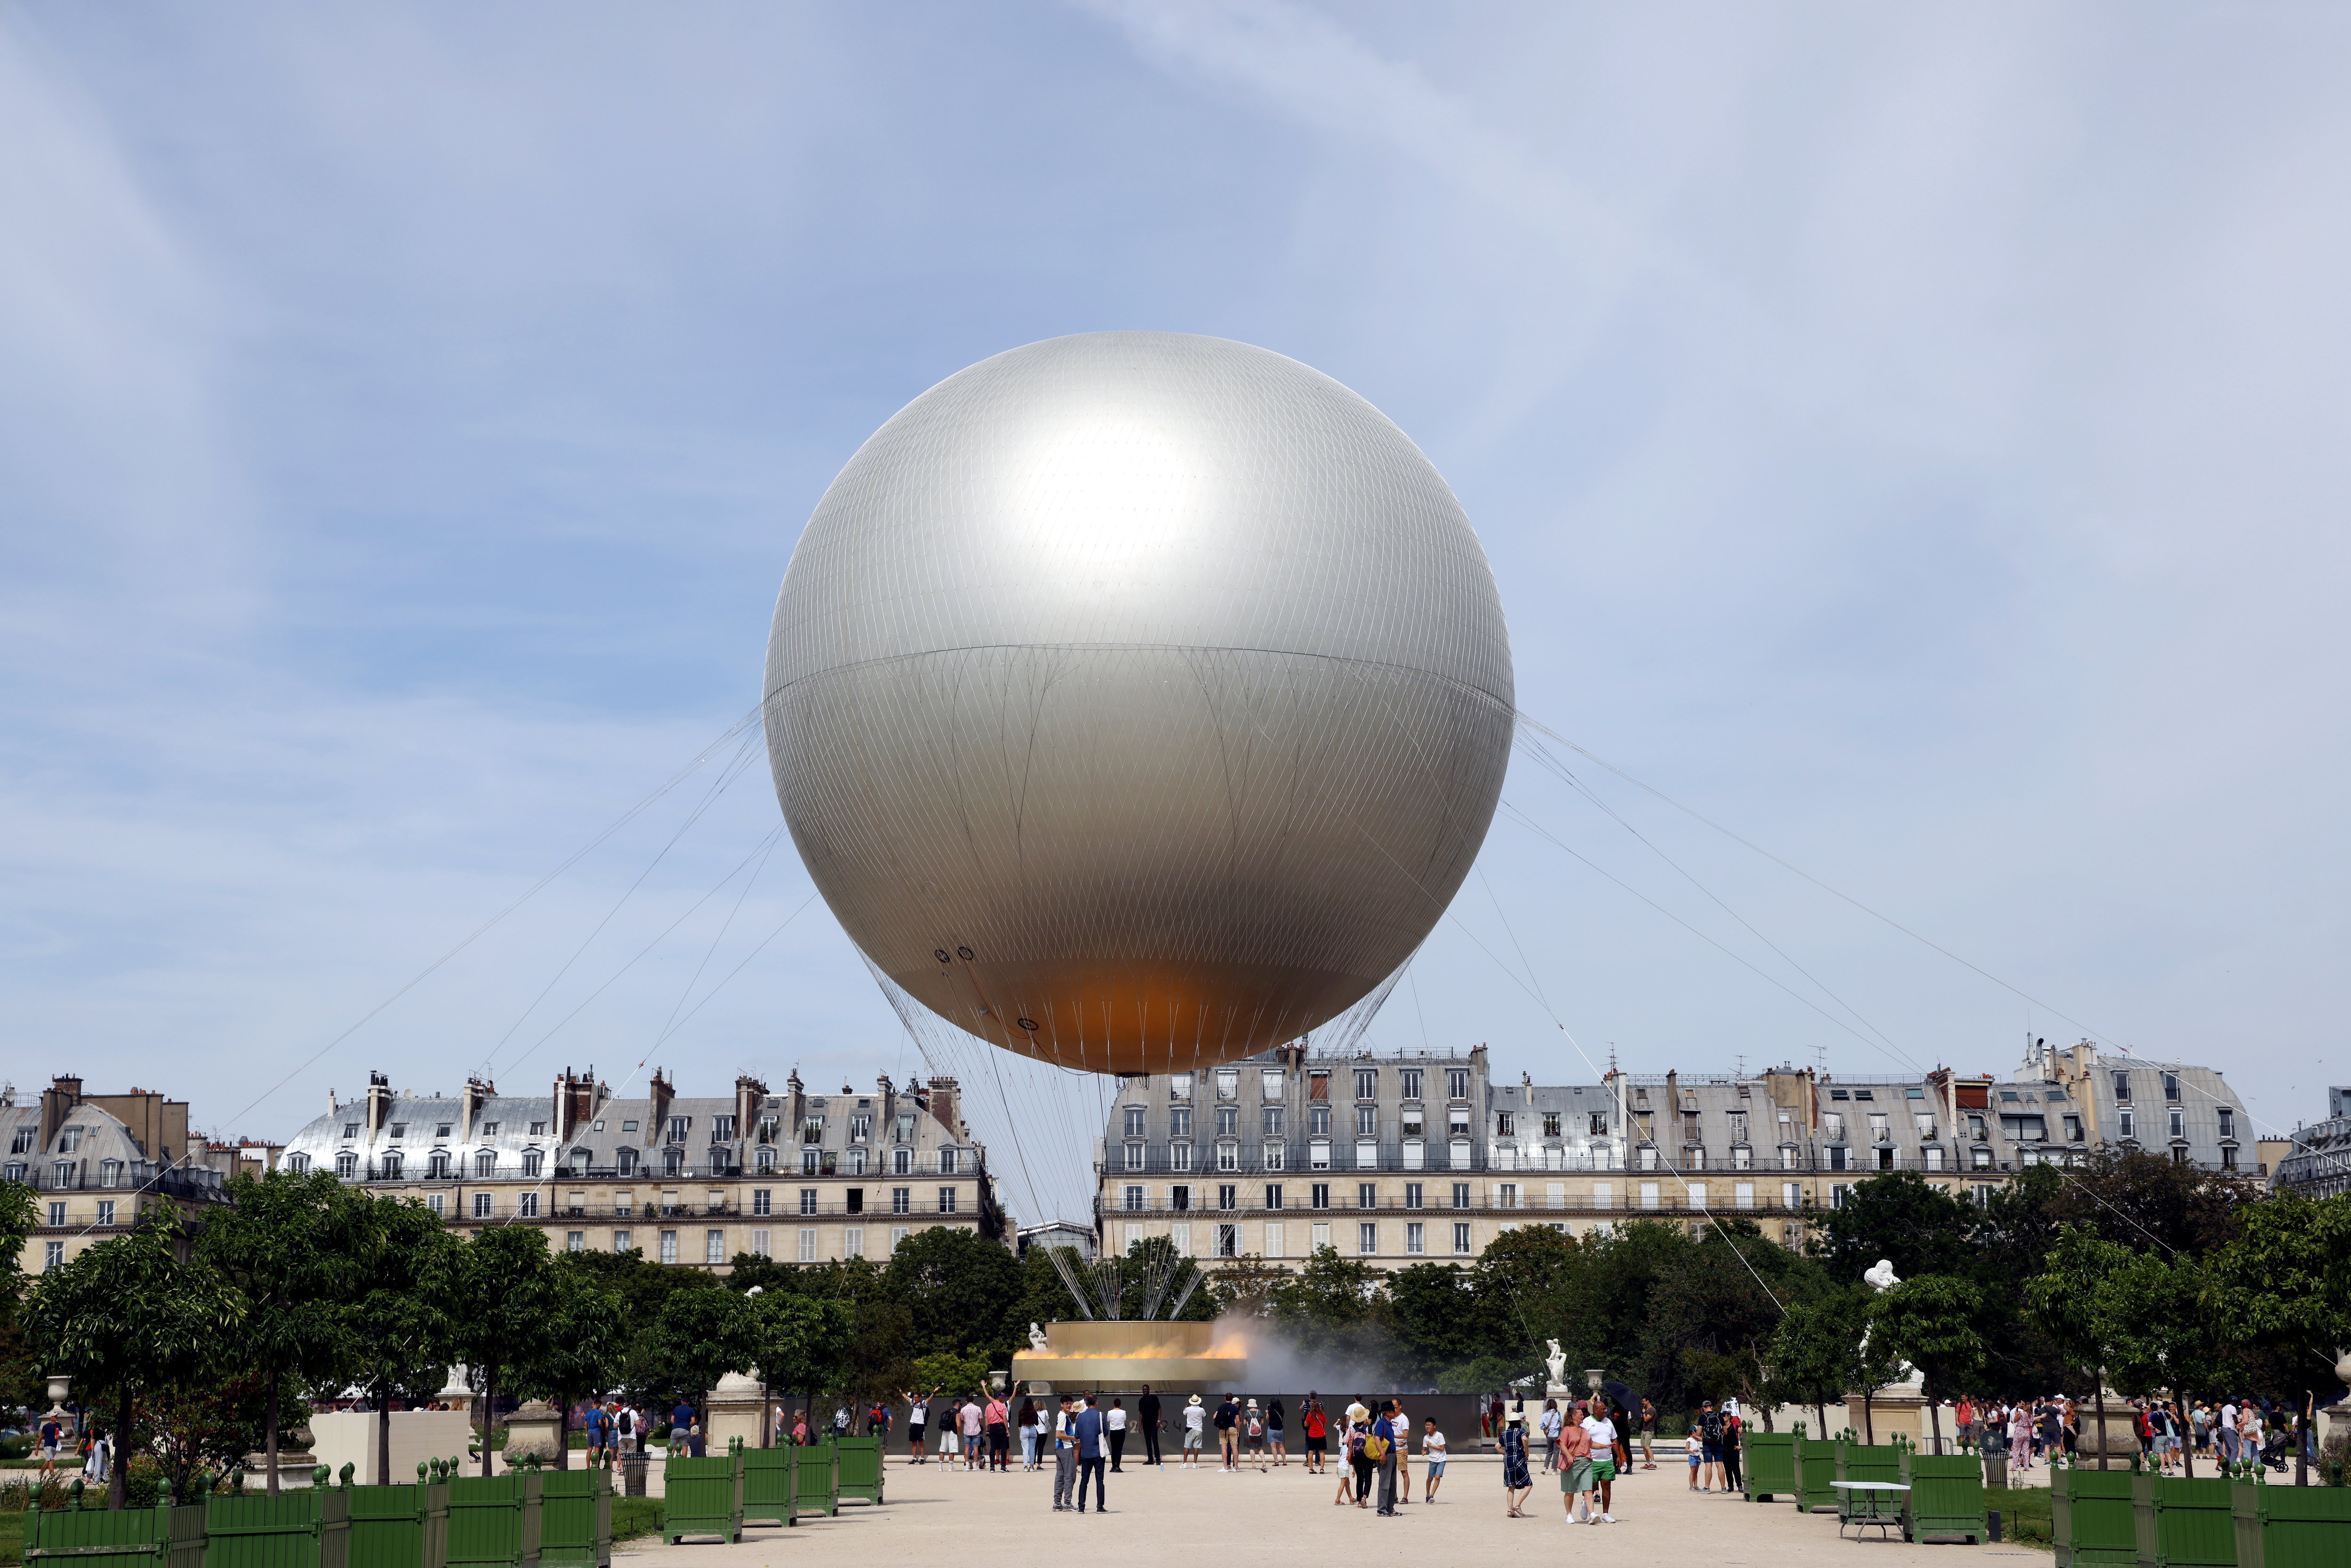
x=100, y=1162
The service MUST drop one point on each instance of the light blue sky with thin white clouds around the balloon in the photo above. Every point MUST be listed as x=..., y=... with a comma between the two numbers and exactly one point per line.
x=1908, y=438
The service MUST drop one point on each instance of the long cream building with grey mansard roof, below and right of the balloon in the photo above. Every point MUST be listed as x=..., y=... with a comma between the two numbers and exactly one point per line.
x=1414, y=1158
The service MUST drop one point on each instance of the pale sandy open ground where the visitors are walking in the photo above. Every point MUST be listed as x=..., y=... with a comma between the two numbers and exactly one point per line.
x=979, y=1520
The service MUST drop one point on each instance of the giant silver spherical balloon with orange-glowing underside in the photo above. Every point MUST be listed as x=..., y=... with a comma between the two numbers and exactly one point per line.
x=1139, y=699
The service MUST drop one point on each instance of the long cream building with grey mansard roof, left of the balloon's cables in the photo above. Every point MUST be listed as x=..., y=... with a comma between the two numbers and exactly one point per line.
x=685, y=1181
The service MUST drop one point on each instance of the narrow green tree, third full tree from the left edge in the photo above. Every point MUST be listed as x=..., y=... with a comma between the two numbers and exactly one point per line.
x=398, y=1327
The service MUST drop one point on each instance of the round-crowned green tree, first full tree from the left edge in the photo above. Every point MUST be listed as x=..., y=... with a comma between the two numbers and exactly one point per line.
x=130, y=1318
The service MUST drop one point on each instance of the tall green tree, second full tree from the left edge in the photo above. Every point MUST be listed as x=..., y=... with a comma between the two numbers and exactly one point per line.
x=290, y=1247
